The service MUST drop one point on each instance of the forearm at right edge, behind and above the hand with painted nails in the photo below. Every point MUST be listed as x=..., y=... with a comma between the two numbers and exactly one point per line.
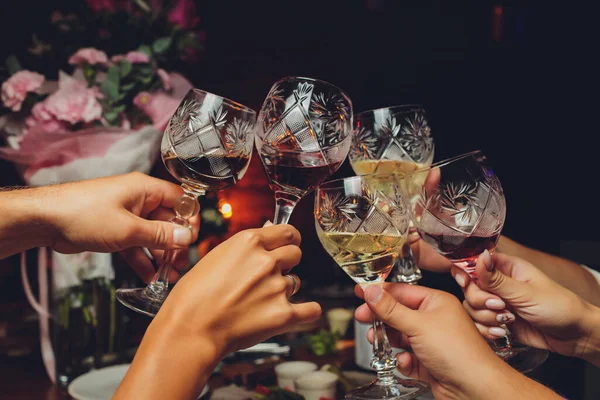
x=567, y=273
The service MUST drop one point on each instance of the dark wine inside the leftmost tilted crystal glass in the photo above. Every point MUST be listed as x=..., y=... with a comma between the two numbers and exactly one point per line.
x=200, y=172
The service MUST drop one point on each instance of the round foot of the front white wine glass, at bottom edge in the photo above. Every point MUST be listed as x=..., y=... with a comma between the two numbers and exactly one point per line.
x=396, y=389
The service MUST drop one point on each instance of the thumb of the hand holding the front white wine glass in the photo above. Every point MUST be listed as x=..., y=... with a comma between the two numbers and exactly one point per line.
x=390, y=311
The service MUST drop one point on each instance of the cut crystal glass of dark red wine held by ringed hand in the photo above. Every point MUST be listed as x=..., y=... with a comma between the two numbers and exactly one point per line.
x=303, y=136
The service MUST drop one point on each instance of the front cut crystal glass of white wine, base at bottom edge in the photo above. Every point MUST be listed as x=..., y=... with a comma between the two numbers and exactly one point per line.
x=363, y=222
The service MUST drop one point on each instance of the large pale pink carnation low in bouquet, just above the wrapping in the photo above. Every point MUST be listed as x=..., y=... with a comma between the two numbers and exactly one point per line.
x=73, y=102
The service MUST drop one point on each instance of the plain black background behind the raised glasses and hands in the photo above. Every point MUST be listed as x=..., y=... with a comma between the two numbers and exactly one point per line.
x=513, y=78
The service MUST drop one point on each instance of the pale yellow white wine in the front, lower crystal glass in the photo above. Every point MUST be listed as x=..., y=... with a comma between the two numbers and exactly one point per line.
x=365, y=257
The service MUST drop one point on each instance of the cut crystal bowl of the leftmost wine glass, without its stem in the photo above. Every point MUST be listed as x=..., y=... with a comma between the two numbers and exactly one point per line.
x=208, y=142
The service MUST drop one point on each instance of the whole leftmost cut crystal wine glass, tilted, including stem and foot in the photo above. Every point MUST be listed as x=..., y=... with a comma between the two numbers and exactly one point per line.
x=206, y=146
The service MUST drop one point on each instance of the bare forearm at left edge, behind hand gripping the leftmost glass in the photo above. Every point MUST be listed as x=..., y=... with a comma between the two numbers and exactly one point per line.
x=22, y=223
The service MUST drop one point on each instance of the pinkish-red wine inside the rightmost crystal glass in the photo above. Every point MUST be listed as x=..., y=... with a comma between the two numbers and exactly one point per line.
x=463, y=251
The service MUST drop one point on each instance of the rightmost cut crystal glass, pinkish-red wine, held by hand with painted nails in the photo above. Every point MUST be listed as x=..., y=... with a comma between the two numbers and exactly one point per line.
x=458, y=208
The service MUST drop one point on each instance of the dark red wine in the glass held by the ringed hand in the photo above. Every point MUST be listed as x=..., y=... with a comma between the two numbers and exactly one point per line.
x=297, y=173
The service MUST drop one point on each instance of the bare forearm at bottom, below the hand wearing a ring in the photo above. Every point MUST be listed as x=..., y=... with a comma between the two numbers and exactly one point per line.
x=171, y=363
